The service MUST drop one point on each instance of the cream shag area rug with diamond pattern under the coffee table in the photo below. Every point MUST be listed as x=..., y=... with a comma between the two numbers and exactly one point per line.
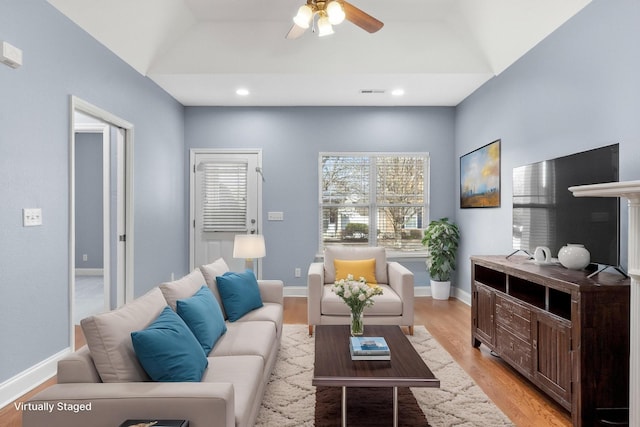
x=290, y=398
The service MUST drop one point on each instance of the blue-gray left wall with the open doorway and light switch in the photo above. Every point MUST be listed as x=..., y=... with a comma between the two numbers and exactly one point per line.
x=61, y=60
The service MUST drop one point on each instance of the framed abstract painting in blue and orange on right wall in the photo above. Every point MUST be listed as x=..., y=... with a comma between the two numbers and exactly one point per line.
x=480, y=177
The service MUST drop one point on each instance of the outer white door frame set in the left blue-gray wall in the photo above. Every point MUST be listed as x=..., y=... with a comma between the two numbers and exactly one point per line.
x=126, y=294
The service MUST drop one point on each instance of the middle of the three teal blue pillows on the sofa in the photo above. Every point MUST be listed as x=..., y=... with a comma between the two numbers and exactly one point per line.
x=203, y=316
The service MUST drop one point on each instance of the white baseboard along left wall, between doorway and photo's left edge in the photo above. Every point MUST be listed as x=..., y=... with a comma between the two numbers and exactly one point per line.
x=25, y=381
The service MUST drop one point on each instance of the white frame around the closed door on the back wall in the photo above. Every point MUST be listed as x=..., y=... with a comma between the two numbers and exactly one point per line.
x=192, y=176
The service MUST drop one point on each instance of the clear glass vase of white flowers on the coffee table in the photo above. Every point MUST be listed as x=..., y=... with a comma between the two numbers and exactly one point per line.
x=357, y=295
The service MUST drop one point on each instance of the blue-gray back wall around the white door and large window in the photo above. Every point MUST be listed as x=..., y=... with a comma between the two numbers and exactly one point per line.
x=291, y=138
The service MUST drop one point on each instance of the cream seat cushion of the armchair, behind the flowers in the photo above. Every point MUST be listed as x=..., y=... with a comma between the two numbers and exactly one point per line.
x=387, y=304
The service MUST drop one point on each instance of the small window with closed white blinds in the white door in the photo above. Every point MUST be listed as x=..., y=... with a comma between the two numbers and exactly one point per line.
x=224, y=196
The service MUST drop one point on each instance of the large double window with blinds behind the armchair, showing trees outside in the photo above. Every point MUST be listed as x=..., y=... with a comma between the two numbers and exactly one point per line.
x=374, y=199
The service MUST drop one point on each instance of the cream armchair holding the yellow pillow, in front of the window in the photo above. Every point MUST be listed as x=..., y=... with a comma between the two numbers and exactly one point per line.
x=393, y=307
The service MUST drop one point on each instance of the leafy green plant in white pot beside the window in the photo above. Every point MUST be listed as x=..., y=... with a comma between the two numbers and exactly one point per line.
x=441, y=238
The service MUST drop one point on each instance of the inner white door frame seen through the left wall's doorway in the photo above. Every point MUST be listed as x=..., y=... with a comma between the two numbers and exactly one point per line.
x=104, y=129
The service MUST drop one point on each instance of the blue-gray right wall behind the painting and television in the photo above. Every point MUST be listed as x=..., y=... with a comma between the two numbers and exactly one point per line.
x=578, y=89
